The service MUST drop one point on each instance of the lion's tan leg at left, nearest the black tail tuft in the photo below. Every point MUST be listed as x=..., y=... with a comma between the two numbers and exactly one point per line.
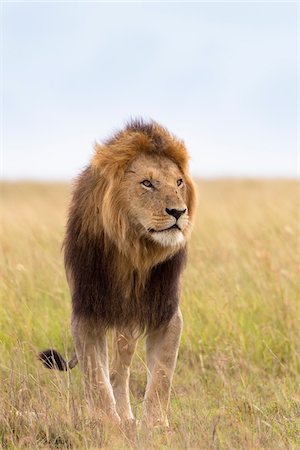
x=91, y=349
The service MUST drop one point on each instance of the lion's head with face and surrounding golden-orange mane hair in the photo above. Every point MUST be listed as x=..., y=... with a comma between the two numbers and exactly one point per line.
x=149, y=195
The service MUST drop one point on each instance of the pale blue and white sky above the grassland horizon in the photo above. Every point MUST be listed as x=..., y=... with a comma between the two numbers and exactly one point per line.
x=220, y=75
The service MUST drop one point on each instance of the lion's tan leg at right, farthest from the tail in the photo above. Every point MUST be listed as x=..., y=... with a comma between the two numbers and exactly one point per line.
x=162, y=350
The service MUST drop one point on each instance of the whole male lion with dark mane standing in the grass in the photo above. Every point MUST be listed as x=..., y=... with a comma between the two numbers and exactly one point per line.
x=125, y=249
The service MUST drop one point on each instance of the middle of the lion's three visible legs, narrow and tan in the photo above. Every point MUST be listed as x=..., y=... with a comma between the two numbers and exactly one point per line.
x=124, y=343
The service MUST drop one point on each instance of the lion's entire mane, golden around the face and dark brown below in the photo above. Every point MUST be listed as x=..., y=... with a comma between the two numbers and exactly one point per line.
x=116, y=276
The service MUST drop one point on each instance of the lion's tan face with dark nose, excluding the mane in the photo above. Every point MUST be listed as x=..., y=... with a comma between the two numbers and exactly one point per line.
x=156, y=197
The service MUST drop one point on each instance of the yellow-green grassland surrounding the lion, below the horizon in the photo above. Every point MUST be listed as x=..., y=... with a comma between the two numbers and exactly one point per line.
x=237, y=383
